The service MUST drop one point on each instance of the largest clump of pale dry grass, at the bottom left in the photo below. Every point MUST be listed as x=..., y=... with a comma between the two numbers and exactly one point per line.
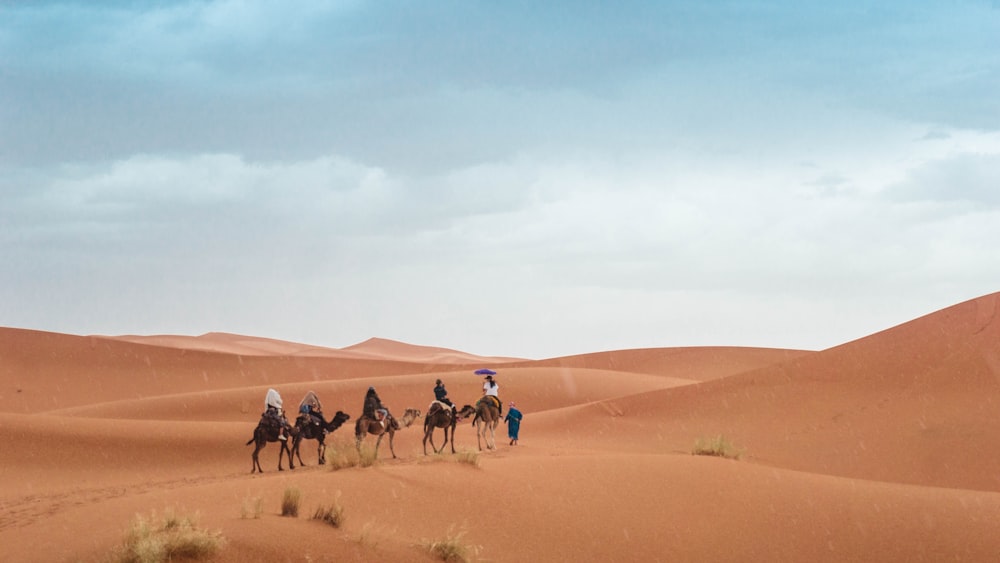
x=172, y=537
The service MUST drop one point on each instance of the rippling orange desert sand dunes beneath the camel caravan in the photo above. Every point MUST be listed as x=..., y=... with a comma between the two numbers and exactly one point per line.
x=880, y=449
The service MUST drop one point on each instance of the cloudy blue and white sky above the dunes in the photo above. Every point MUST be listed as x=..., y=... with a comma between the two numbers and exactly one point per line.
x=529, y=179
